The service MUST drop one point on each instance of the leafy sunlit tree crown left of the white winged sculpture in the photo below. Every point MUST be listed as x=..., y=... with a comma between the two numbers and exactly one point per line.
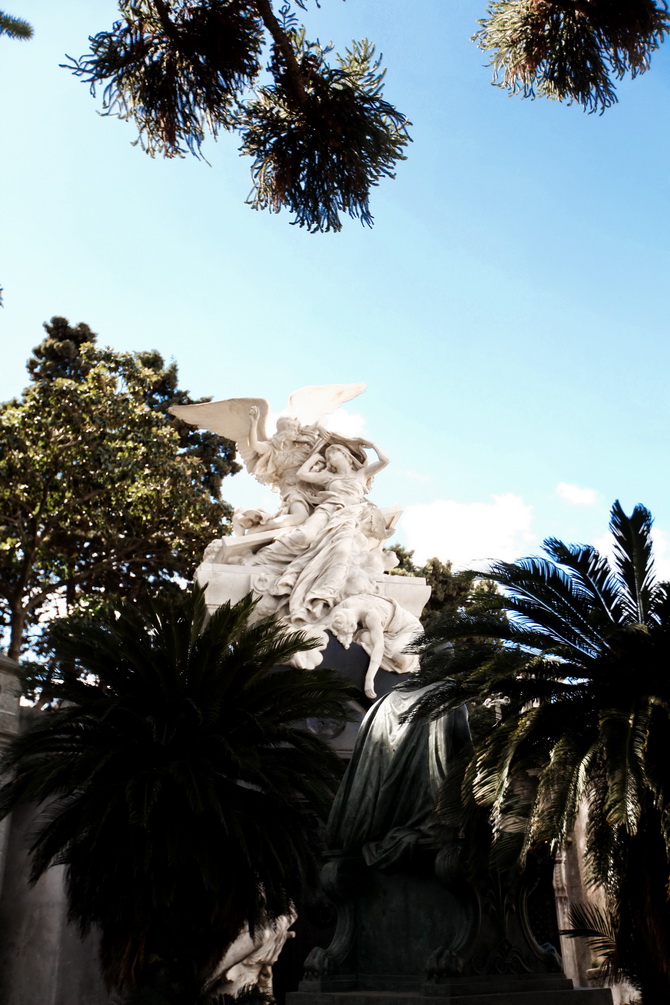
x=101, y=490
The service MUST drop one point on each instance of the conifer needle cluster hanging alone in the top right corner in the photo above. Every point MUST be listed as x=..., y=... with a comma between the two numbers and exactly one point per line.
x=572, y=51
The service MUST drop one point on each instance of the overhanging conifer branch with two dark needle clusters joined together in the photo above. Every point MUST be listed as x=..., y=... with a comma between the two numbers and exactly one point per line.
x=321, y=136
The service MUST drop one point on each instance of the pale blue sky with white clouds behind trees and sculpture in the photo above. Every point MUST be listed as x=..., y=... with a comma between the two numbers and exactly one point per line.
x=509, y=310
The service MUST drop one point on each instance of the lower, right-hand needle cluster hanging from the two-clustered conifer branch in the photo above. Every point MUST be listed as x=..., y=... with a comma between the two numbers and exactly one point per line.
x=322, y=157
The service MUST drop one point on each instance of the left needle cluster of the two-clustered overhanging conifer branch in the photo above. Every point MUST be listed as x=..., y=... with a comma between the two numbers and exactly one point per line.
x=175, y=69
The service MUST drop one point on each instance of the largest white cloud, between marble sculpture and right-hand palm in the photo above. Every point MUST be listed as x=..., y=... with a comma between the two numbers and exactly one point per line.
x=471, y=533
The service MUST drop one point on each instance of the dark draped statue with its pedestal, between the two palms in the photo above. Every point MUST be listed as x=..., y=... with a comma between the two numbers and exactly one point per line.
x=413, y=927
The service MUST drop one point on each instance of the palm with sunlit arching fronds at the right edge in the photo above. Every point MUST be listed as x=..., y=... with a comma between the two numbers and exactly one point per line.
x=575, y=655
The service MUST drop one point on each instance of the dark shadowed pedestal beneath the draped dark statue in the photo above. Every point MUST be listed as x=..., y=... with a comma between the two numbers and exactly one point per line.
x=421, y=937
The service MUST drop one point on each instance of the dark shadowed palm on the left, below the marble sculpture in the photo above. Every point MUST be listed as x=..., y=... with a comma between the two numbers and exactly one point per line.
x=177, y=785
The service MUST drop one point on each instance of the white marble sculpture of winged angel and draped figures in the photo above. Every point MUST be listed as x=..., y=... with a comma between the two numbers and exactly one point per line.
x=319, y=561
